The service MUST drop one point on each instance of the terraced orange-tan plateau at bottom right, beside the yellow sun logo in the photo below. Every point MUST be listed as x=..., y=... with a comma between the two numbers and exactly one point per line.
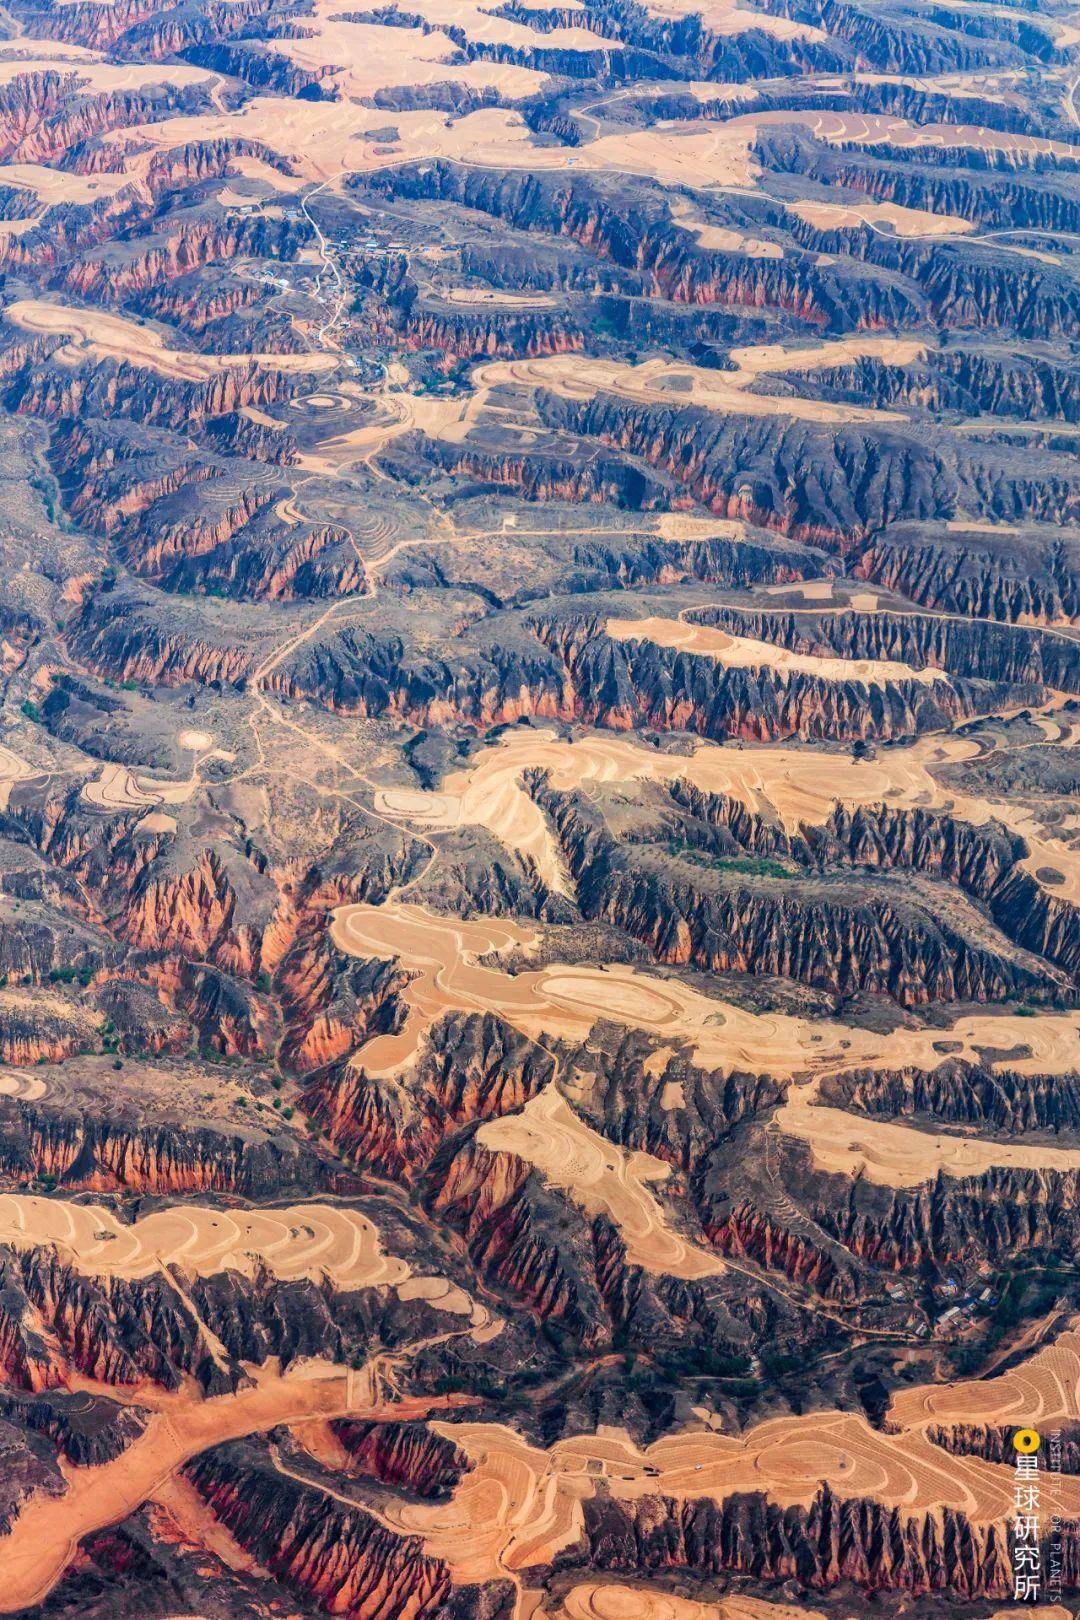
x=521, y=1506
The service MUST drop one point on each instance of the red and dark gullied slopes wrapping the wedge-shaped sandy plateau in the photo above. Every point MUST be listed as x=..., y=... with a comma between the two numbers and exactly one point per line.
x=550, y=1260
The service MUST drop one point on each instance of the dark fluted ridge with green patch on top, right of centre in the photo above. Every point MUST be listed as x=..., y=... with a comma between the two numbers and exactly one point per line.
x=820, y=926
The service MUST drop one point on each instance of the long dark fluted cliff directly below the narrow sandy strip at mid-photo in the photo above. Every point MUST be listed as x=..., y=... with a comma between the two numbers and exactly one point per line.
x=569, y=671
